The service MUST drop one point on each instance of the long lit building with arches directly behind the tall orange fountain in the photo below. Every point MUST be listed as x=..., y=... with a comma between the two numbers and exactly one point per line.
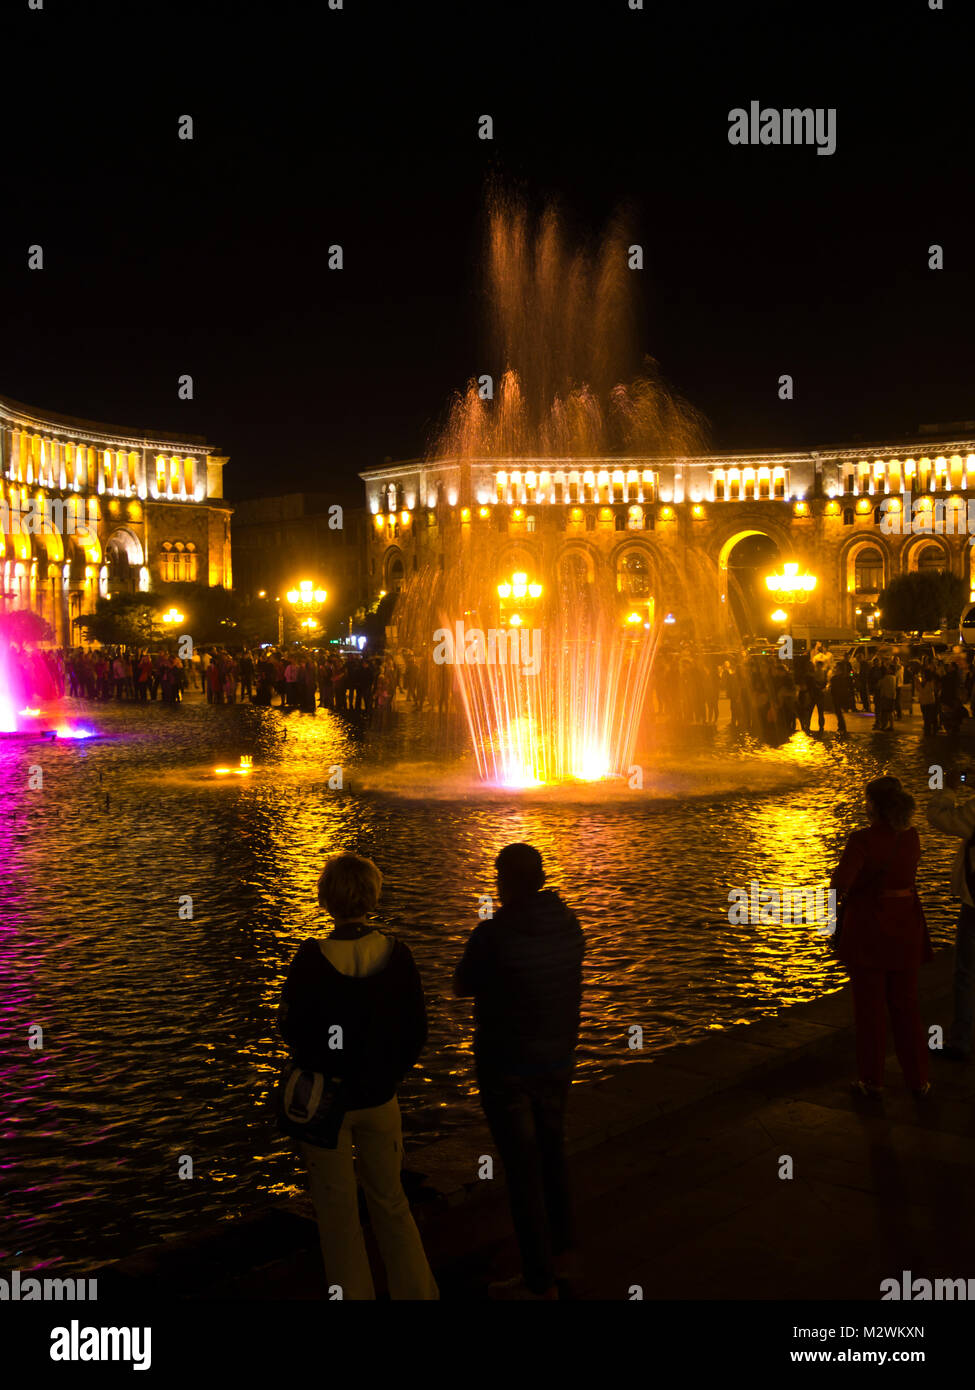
x=668, y=529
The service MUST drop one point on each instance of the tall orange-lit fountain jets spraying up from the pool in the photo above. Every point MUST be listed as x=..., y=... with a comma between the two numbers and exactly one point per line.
x=568, y=703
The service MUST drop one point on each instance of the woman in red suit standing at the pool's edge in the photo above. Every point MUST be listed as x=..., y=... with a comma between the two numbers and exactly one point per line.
x=884, y=938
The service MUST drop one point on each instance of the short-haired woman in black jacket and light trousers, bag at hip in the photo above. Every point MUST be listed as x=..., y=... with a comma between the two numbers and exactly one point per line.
x=353, y=1008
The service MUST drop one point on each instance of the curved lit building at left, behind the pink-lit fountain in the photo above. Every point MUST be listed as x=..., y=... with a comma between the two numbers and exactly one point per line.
x=94, y=509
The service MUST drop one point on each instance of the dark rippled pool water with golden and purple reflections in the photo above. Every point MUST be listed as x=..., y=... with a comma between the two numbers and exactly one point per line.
x=159, y=1031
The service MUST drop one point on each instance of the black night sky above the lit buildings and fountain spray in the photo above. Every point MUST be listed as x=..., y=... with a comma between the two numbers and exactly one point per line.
x=360, y=127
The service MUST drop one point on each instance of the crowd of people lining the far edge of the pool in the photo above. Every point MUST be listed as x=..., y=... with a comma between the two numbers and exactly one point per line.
x=766, y=696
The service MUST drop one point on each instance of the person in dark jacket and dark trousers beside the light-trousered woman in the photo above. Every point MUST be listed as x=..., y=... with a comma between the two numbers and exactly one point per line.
x=524, y=970
